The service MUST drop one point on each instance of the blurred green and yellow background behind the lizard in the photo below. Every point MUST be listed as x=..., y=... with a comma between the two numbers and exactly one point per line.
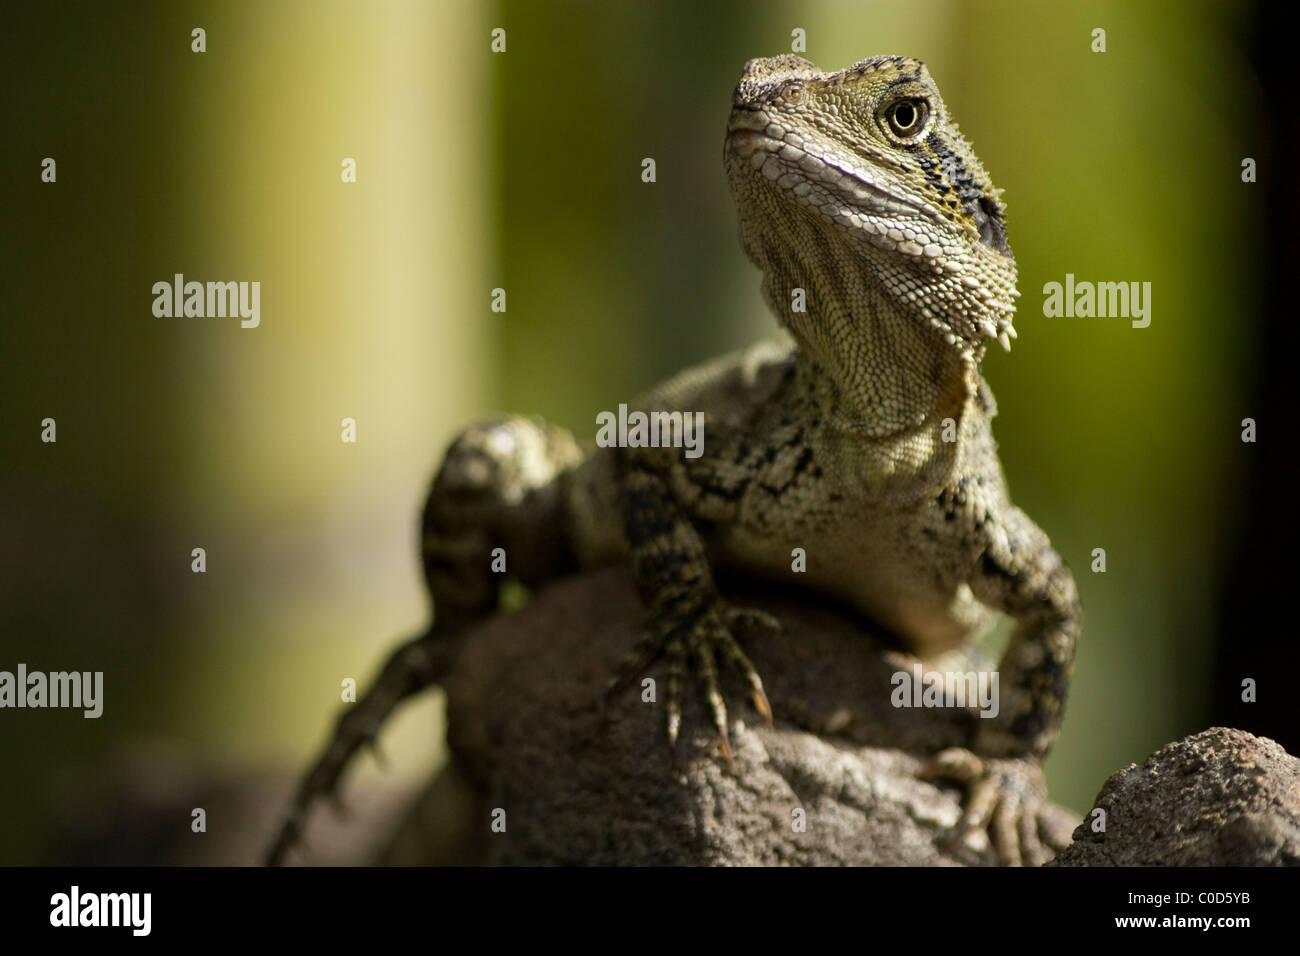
x=522, y=171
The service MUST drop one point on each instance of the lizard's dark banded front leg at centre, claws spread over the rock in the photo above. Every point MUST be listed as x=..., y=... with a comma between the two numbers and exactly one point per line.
x=687, y=620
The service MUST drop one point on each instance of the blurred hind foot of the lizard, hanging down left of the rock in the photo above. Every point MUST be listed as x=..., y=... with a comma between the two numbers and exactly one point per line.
x=409, y=671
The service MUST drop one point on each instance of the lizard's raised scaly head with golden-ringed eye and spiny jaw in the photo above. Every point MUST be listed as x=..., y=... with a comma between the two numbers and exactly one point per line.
x=859, y=188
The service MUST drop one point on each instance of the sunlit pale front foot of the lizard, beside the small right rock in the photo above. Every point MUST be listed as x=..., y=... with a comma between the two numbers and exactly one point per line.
x=1004, y=798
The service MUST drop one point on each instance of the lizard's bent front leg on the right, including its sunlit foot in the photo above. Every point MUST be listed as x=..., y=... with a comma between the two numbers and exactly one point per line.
x=1022, y=576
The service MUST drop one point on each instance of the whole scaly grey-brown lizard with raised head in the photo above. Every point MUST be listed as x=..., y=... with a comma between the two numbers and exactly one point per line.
x=857, y=189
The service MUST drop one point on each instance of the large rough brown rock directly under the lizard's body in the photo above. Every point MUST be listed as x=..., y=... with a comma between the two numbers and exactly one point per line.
x=526, y=733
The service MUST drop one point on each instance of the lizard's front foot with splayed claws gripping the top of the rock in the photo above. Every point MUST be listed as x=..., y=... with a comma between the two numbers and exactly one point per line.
x=700, y=638
